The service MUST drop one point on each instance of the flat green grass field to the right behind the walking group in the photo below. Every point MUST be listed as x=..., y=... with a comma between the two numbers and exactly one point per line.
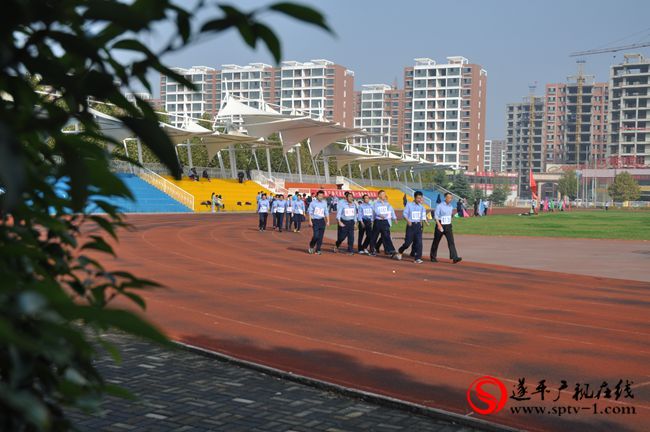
x=614, y=224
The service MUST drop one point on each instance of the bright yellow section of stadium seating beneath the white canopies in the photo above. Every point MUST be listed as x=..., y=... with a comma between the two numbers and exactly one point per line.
x=231, y=191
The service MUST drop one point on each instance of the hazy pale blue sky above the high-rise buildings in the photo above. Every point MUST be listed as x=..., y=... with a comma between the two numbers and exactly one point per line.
x=517, y=42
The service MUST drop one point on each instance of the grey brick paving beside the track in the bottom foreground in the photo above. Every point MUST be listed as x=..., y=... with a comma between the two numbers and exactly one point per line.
x=185, y=392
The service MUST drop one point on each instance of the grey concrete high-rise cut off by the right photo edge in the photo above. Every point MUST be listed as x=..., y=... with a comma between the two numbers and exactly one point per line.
x=629, y=112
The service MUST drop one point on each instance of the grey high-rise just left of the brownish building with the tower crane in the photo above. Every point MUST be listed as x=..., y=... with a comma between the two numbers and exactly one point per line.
x=524, y=140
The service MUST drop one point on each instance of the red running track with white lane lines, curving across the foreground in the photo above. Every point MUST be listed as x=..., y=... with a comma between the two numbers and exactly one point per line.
x=418, y=333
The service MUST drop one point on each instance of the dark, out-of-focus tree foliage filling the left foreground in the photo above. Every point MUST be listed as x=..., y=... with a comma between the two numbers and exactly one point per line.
x=55, y=293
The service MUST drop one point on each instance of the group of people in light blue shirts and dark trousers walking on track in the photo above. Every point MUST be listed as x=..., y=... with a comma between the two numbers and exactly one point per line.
x=373, y=221
